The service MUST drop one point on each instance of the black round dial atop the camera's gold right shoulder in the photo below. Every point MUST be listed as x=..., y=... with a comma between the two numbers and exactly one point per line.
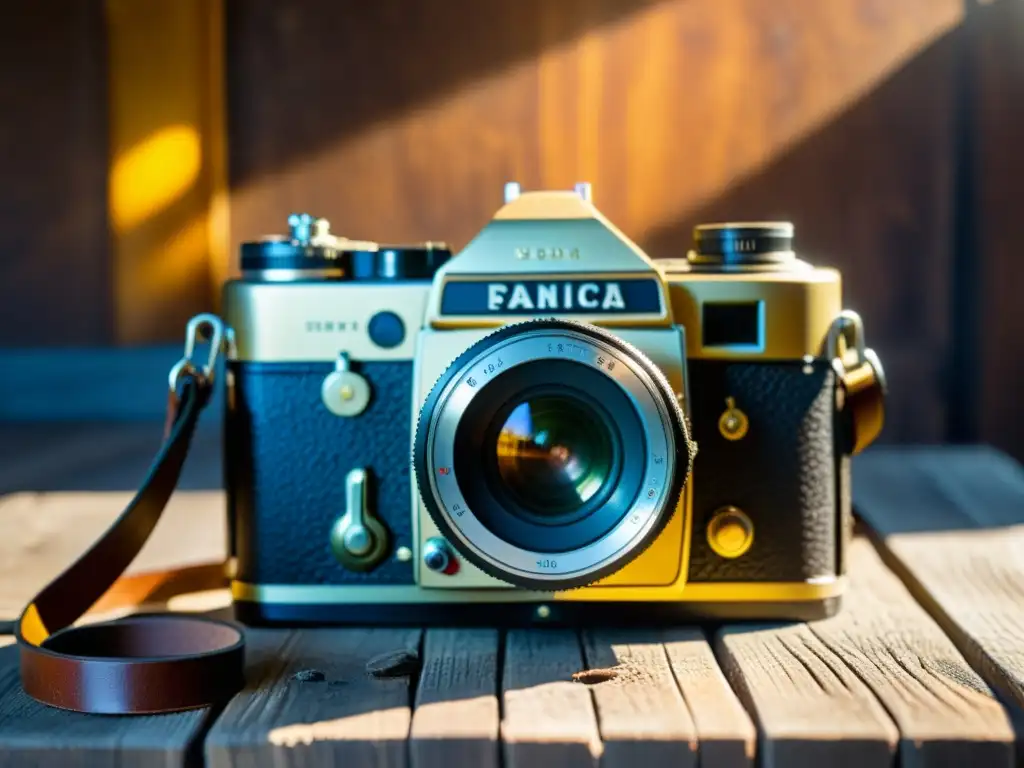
x=745, y=244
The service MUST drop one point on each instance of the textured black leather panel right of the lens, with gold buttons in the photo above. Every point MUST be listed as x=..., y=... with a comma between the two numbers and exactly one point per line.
x=783, y=474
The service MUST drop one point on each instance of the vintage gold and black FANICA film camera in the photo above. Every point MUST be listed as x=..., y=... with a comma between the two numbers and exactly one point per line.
x=508, y=436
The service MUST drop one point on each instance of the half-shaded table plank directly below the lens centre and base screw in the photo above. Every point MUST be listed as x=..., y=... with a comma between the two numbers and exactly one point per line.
x=548, y=720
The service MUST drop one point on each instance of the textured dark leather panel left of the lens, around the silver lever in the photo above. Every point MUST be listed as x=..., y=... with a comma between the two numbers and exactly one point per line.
x=286, y=461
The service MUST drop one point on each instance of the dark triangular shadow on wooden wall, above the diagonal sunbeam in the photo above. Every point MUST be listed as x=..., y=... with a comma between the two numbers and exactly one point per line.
x=289, y=61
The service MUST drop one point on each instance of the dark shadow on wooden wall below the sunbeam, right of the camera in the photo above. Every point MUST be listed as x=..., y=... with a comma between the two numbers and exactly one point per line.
x=872, y=194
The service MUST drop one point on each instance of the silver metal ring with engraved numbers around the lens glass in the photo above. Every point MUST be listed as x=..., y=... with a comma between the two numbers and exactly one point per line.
x=661, y=454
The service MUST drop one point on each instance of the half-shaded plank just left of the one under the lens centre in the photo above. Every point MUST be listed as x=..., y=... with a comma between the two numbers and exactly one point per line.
x=457, y=719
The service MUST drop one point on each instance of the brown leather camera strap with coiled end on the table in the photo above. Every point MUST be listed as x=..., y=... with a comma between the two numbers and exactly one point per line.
x=141, y=664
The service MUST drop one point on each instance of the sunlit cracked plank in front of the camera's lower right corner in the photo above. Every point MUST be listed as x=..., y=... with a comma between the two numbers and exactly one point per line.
x=812, y=710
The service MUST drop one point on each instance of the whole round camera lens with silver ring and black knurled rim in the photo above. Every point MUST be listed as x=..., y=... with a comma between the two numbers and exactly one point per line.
x=551, y=454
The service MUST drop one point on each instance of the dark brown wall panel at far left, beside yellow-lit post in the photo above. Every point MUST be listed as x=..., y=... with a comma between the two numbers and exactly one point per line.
x=55, y=250
